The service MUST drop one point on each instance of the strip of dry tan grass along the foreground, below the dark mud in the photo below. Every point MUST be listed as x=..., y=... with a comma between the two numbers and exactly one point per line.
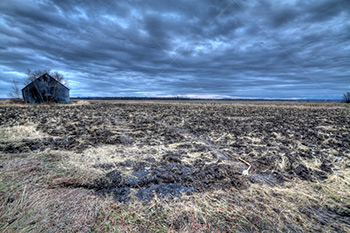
x=36, y=196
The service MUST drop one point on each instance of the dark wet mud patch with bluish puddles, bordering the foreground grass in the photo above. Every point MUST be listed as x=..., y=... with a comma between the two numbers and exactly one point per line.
x=169, y=180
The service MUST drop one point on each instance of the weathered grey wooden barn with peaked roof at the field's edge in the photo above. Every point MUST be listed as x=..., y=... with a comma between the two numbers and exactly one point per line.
x=45, y=89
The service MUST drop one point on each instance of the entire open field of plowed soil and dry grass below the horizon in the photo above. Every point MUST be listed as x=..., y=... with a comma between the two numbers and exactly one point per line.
x=167, y=166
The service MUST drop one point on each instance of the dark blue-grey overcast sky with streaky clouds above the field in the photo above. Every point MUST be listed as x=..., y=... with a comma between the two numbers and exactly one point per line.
x=203, y=48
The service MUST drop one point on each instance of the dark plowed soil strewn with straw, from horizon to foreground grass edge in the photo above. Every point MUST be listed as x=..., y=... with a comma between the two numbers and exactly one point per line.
x=190, y=147
